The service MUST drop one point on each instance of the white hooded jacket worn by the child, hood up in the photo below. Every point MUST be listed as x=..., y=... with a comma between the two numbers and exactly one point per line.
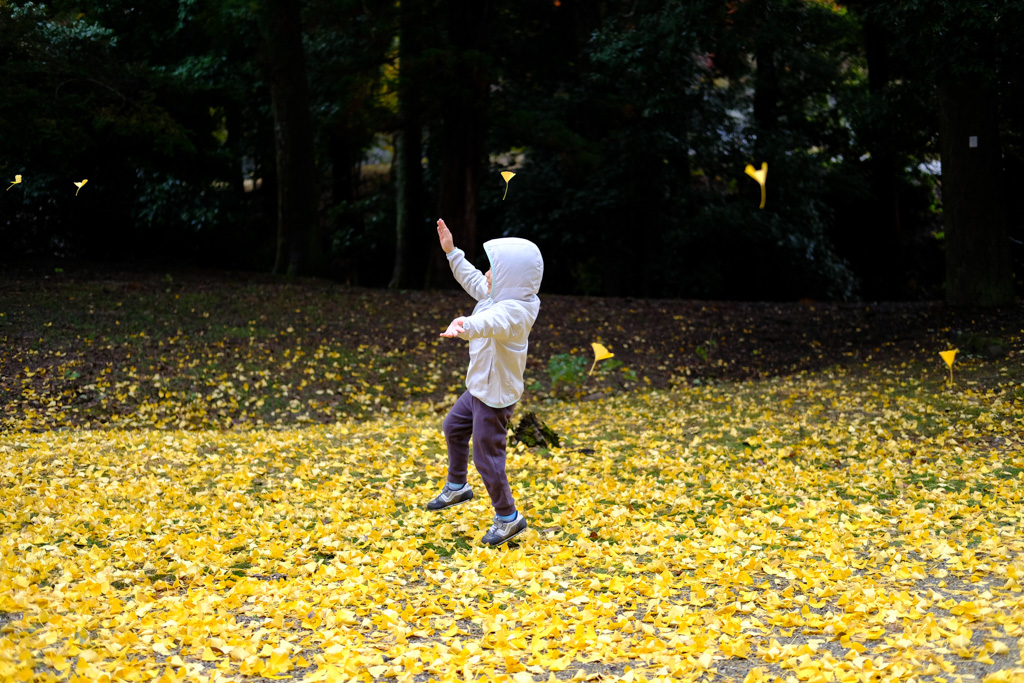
x=499, y=328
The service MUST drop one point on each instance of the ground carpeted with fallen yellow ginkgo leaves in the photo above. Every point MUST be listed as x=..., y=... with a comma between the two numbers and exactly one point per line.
x=855, y=522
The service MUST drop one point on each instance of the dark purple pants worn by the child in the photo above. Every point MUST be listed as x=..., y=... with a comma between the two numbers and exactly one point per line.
x=489, y=428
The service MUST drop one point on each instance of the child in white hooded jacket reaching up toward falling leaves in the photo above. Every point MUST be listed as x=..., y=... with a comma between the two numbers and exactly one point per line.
x=498, y=333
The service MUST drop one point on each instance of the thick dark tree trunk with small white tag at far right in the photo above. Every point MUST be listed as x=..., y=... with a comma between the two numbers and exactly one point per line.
x=978, y=272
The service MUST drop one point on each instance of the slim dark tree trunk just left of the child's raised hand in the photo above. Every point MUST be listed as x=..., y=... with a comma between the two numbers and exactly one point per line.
x=411, y=251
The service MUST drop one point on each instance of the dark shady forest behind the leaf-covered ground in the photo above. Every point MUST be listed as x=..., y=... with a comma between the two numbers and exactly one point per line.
x=326, y=138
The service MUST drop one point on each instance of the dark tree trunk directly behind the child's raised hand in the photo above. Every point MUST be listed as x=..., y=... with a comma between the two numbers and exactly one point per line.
x=463, y=131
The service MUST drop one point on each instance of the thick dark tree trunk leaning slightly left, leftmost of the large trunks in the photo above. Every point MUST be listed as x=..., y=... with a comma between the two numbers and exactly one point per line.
x=298, y=248
